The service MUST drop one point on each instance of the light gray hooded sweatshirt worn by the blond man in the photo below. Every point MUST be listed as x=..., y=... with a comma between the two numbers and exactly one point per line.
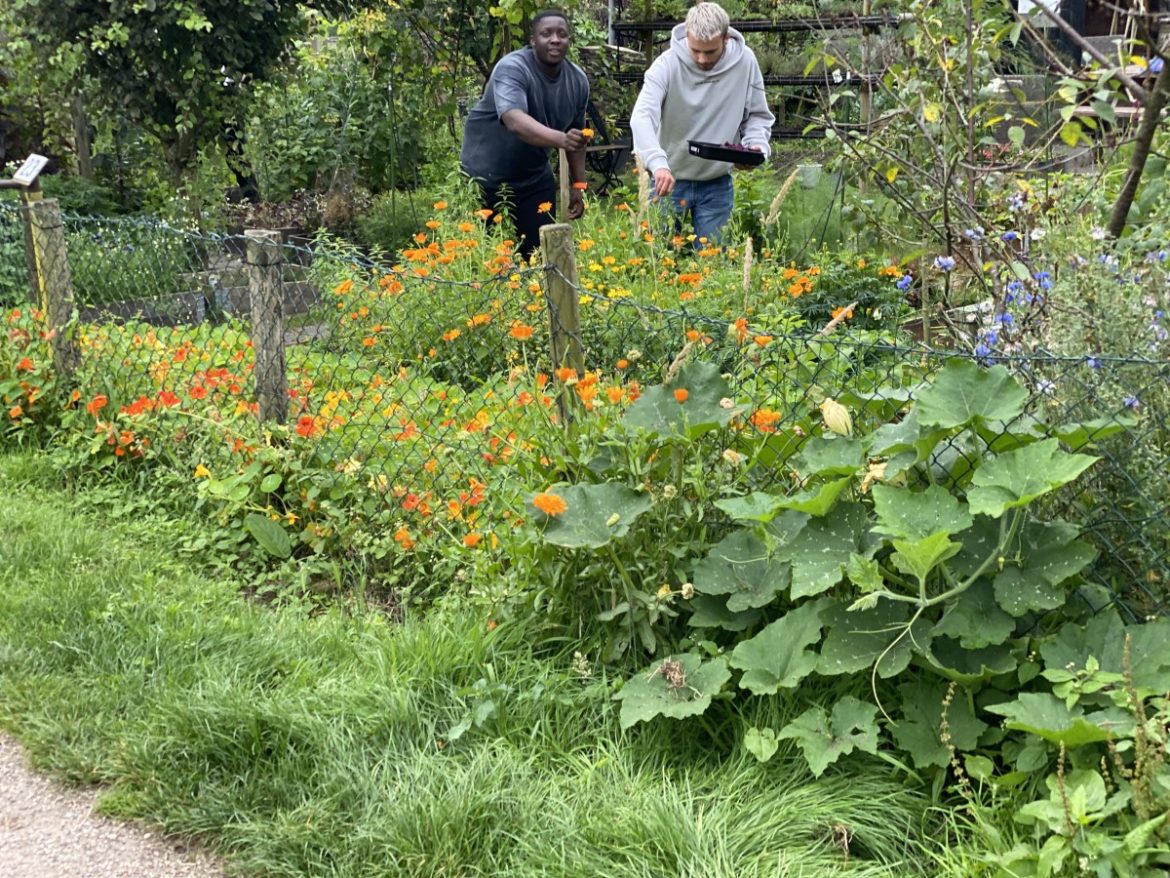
x=679, y=102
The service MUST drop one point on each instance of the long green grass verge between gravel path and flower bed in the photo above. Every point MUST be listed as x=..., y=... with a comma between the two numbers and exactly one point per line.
x=299, y=742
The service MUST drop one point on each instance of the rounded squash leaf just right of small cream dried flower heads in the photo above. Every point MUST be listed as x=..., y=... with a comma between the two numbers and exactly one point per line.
x=740, y=566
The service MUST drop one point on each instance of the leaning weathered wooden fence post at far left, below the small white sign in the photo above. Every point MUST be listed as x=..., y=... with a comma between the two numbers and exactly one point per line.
x=56, y=283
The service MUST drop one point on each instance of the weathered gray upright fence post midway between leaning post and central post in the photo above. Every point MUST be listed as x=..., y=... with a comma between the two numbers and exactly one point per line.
x=265, y=286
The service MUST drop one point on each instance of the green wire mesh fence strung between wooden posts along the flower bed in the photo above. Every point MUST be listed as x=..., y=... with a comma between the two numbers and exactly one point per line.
x=429, y=385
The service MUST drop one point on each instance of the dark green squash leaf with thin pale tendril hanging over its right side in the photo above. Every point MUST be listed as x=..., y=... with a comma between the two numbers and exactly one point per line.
x=855, y=641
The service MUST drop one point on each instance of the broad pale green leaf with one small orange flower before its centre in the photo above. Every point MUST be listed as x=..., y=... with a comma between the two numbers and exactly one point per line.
x=657, y=410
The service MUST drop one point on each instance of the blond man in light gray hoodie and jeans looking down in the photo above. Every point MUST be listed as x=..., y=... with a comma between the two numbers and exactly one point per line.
x=707, y=87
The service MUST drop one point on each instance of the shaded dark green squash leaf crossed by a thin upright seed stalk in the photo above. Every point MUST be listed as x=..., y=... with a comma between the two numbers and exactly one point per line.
x=918, y=730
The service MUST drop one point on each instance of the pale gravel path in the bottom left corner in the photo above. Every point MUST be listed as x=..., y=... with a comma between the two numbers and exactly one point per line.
x=51, y=832
